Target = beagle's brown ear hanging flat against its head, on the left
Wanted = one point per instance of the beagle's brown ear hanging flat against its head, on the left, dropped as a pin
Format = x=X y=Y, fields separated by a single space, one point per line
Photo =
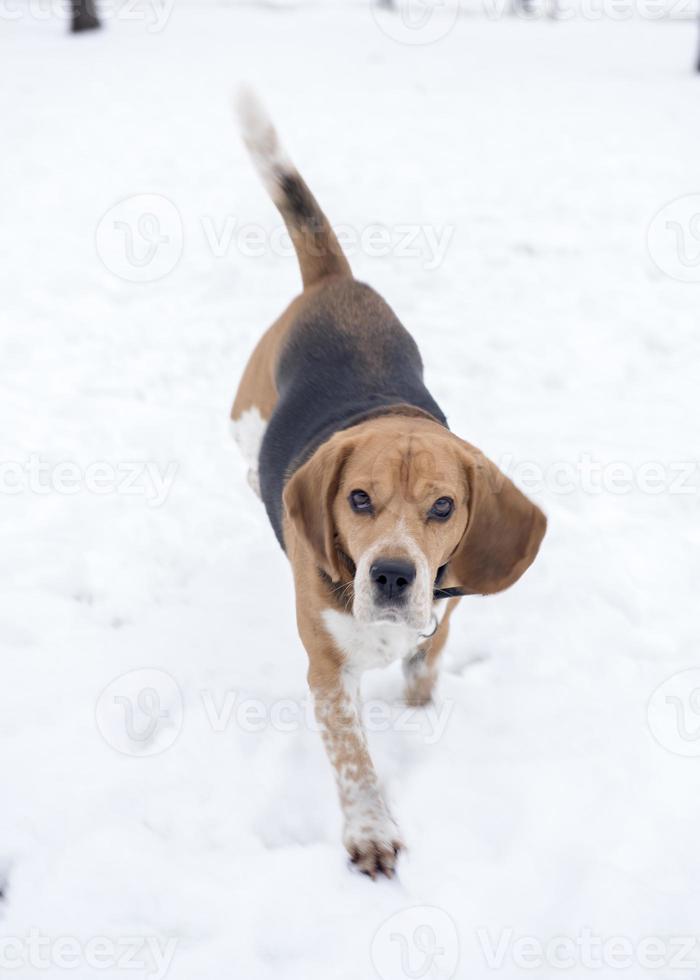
x=308 y=500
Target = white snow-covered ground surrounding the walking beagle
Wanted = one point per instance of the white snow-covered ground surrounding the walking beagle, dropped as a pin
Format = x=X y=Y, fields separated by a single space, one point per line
x=184 y=814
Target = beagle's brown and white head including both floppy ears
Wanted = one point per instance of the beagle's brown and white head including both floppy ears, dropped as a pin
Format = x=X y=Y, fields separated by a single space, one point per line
x=407 y=505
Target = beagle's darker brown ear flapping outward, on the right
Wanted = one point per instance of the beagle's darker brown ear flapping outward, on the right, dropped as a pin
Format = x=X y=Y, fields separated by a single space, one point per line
x=504 y=529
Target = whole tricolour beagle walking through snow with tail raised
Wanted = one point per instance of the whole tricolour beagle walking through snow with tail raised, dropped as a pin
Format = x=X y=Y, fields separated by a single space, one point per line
x=382 y=511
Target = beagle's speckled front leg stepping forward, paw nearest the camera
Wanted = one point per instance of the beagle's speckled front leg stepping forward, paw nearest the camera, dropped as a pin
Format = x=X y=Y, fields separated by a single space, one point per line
x=370 y=834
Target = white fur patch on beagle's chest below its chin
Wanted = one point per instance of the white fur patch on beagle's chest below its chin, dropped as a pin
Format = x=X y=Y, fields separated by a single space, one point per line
x=368 y=645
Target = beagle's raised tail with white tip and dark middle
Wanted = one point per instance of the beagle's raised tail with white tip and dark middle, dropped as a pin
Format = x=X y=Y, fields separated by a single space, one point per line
x=318 y=250
